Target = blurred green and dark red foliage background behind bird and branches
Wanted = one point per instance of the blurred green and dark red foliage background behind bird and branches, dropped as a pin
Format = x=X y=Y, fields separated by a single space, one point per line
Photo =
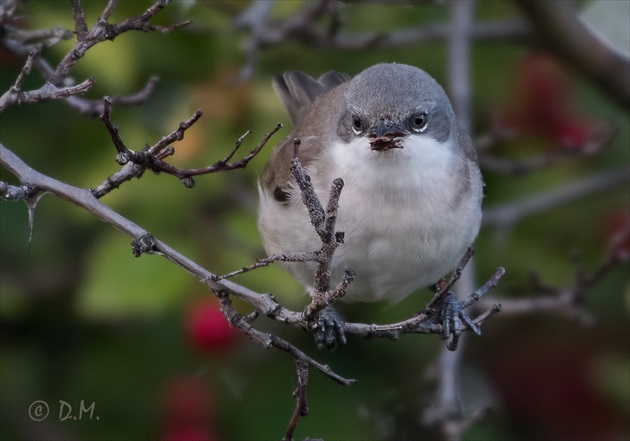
x=119 y=347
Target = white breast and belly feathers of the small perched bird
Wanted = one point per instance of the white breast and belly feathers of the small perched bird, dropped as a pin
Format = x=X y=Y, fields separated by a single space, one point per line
x=401 y=230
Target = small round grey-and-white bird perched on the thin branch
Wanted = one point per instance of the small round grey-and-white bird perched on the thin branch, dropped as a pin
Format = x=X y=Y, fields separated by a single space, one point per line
x=411 y=203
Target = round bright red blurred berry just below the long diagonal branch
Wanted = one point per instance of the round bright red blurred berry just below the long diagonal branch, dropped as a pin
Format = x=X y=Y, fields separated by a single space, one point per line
x=206 y=326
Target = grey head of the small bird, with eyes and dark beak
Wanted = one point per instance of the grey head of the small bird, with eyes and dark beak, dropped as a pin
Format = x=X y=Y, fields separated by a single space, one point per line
x=388 y=102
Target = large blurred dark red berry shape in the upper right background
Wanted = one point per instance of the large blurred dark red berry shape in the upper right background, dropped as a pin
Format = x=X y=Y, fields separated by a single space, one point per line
x=542 y=104
